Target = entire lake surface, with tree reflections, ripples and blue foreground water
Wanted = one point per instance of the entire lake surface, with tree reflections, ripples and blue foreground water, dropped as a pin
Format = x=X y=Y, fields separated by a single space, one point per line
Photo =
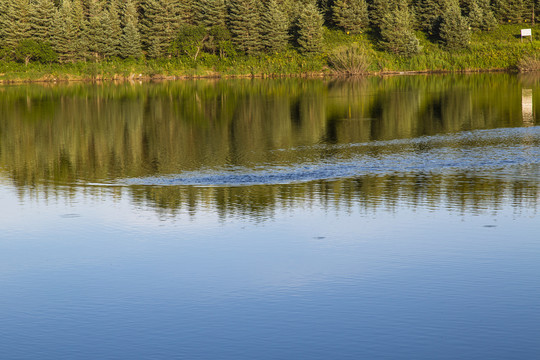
x=376 y=218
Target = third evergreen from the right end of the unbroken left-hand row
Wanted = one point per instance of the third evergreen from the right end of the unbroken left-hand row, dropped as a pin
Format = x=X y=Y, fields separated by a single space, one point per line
x=243 y=21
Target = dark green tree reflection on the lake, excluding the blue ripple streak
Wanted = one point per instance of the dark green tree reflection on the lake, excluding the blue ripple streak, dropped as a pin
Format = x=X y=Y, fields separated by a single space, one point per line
x=59 y=139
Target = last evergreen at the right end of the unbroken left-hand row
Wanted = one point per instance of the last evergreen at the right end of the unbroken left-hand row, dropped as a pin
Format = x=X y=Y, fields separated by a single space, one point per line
x=310 y=24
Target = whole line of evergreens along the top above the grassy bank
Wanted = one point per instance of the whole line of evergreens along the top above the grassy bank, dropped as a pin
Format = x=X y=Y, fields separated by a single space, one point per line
x=94 y=30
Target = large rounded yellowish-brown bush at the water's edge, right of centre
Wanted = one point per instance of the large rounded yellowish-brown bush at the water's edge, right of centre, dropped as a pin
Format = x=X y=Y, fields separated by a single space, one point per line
x=349 y=60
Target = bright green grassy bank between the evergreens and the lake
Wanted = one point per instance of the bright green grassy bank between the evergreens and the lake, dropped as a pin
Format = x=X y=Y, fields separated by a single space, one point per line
x=500 y=49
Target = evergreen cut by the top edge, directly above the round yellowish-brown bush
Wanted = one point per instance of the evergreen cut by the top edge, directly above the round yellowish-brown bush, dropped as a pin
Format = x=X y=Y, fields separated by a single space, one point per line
x=350 y=15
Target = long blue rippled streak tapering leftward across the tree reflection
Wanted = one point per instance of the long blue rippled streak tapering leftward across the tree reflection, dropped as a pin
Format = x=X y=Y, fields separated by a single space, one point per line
x=497 y=150
